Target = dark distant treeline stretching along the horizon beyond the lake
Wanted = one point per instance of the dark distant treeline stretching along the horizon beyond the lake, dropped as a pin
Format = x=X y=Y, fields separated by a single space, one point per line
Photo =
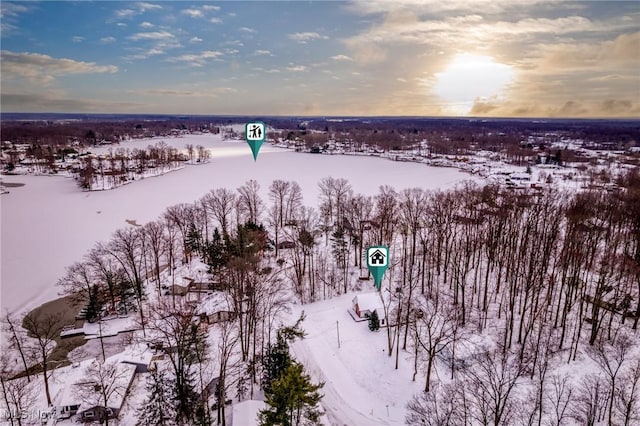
x=391 y=131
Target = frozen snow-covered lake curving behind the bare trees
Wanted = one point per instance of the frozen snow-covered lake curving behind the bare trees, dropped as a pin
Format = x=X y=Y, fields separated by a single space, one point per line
x=49 y=223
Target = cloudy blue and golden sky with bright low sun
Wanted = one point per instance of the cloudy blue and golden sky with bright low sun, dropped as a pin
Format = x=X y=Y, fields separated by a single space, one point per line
x=397 y=57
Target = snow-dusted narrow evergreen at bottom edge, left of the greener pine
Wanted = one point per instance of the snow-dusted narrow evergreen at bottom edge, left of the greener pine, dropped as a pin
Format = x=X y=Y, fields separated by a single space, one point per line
x=158 y=409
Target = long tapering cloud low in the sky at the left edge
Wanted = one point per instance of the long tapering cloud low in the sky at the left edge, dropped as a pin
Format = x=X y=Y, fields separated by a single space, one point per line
x=41 y=68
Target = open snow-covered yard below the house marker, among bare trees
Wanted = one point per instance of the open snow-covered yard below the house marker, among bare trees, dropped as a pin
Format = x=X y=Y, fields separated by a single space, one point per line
x=361 y=385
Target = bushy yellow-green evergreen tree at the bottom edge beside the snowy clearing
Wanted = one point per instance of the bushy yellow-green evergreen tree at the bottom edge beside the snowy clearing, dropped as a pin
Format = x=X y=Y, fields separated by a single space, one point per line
x=293 y=399
